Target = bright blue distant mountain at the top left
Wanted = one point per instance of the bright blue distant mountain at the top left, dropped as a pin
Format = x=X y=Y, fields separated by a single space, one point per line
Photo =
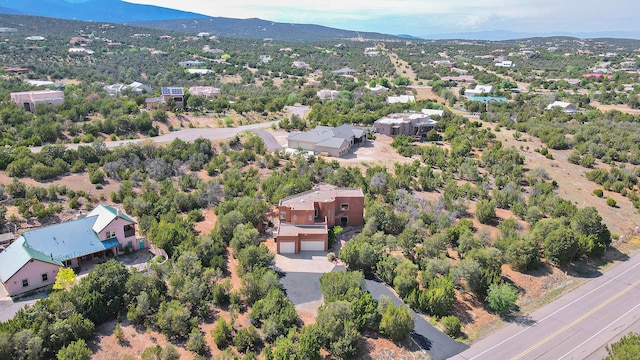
x=115 y=11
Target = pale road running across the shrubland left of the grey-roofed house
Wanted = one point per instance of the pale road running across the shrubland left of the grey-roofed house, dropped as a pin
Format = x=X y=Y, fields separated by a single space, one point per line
x=186 y=135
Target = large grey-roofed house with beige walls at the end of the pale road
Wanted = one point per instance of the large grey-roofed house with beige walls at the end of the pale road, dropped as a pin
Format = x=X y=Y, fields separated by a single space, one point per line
x=325 y=139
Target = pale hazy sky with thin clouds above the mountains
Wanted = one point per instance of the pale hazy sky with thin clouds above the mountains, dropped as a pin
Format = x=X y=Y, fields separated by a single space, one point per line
x=424 y=17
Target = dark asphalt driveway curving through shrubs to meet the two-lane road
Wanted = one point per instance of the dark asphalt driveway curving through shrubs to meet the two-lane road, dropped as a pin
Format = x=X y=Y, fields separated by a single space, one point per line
x=440 y=345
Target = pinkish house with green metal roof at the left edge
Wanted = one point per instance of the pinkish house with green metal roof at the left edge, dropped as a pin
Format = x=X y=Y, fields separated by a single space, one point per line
x=33 y=260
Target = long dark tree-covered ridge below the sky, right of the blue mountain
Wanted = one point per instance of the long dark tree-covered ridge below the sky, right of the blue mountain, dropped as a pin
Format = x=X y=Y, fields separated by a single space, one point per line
x=259 y=29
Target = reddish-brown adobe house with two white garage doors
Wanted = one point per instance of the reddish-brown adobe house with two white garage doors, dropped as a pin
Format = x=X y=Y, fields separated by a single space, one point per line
x=305 y=218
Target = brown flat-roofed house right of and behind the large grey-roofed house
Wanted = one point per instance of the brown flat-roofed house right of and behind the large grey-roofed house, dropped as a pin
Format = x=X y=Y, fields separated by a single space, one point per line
x=410 y=124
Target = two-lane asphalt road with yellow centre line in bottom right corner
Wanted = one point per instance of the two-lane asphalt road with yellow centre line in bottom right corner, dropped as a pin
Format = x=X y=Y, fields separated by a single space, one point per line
x=576 y=326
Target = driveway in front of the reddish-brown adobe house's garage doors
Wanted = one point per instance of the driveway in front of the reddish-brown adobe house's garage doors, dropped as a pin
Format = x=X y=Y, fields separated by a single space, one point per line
x=301 y=278
